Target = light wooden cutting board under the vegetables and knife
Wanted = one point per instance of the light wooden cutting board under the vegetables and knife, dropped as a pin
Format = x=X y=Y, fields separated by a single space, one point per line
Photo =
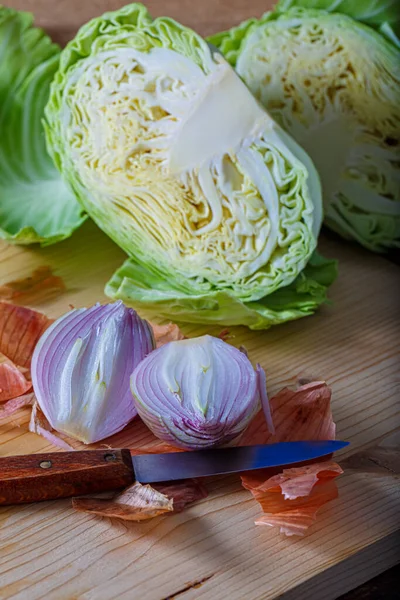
x=213 y=550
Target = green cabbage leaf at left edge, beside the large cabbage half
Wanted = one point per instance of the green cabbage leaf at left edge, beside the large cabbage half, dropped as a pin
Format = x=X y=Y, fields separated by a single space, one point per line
x=35 y=204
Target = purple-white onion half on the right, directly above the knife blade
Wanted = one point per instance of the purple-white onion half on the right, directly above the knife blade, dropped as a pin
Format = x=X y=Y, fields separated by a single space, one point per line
x=196 y=393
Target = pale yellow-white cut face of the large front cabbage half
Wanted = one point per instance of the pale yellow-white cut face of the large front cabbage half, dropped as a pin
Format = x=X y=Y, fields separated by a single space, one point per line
x=183 y=162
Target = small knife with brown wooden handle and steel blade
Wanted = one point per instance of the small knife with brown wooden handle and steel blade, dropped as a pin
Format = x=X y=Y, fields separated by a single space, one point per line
x=37 y=477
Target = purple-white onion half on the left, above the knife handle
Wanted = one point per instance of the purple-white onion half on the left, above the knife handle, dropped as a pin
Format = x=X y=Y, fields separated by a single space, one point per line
x=81 y=368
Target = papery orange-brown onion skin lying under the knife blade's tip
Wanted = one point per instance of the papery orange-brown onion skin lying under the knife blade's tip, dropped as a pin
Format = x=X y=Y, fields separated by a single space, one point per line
x=291 y=498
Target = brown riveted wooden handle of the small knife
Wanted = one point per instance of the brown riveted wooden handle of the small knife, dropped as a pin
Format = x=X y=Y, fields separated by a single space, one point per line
x=39 y=477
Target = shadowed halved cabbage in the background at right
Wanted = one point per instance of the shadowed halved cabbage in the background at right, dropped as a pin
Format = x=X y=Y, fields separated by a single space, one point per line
x=334 y=85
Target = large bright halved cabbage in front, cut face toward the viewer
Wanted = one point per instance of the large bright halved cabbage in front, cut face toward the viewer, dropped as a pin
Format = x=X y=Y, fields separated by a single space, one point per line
x=175 y=160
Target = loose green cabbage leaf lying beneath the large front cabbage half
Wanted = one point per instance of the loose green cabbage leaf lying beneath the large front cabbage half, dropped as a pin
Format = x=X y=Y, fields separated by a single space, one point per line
x=153 y=291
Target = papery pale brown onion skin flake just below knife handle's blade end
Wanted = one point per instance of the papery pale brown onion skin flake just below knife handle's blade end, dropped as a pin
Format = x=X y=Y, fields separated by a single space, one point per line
x=136 y=503
